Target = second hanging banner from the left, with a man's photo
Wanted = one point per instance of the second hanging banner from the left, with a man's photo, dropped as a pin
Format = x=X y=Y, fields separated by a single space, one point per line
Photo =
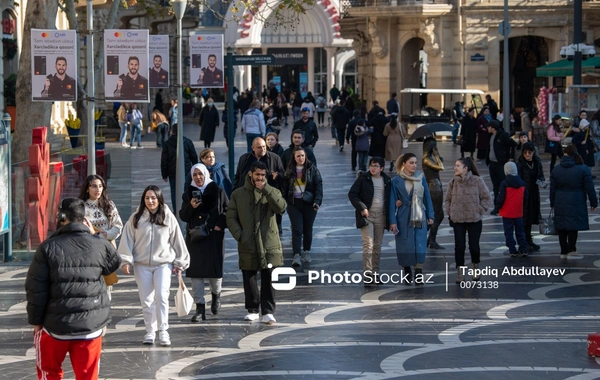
x=126 y=65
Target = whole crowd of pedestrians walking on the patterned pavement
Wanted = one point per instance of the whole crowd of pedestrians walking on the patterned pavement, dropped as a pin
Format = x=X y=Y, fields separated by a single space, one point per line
x=273 y=179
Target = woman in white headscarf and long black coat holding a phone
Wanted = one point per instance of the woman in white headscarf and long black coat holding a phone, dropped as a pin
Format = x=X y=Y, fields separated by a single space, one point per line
x=205 y=203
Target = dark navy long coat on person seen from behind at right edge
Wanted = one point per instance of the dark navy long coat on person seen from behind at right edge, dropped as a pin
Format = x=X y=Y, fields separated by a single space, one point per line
x=570 y=187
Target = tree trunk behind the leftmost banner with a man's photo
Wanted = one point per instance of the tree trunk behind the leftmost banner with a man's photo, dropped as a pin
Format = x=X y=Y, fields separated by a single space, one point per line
x=40 y=14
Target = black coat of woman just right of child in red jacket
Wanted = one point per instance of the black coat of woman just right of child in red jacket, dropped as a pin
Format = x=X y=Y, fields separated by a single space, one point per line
x=531 y=205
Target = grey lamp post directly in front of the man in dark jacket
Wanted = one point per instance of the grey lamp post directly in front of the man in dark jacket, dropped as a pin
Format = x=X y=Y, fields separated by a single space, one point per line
x=179 y=10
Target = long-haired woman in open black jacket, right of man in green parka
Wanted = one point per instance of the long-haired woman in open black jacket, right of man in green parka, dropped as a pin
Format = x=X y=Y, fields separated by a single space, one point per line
x=303 y=191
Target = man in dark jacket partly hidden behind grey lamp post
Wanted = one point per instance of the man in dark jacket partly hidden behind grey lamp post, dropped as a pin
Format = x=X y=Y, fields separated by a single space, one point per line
x=168 y=162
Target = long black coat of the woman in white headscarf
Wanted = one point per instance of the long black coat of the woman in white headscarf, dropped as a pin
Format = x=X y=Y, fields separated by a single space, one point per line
x=206 y=256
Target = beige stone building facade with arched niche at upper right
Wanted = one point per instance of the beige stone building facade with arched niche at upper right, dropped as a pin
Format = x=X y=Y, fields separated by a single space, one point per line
x=456 y=44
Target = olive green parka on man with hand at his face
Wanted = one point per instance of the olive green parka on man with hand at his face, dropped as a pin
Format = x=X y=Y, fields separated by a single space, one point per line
x=251 y=221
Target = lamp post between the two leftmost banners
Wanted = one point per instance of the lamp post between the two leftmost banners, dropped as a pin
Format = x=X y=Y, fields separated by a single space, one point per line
x=90 y=90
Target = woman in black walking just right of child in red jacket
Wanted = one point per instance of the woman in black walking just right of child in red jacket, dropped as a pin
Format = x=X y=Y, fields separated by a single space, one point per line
x=532 y=173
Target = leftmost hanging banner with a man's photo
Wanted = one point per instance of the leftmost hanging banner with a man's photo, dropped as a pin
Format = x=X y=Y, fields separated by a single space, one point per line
x=51 y=47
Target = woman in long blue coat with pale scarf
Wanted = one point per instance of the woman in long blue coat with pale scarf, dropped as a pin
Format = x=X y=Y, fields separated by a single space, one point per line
x=410 y=212
